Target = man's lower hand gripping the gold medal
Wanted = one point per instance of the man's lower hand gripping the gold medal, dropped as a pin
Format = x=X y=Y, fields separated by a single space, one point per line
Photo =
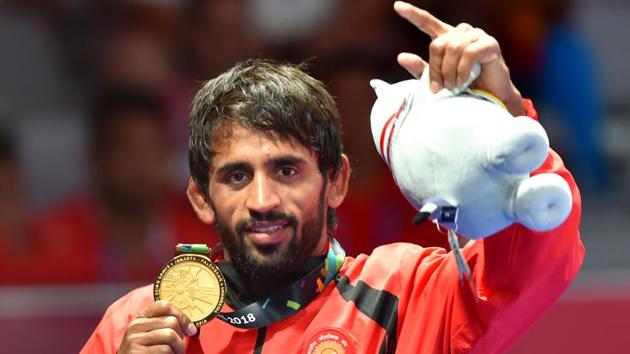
x=158 y=328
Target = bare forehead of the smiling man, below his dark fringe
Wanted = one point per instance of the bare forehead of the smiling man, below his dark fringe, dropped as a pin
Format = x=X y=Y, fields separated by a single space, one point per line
x=236 y=142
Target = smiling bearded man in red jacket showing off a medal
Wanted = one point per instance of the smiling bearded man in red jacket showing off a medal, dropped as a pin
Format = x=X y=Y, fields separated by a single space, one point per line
x=268 y=171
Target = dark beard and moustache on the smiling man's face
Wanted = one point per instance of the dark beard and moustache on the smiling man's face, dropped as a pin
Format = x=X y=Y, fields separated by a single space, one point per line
x=272 y=261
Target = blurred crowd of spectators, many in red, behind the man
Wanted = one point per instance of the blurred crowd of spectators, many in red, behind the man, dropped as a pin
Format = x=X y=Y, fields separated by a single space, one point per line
x=93 y=115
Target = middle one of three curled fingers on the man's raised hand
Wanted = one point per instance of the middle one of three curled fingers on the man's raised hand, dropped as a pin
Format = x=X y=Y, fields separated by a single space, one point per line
x=456 y=41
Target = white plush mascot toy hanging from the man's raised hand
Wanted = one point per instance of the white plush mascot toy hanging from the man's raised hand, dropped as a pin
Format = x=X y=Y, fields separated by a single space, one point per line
x=463 y=161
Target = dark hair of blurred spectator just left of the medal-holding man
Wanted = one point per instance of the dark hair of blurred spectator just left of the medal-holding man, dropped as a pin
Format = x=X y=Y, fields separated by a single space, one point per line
x=112 y=103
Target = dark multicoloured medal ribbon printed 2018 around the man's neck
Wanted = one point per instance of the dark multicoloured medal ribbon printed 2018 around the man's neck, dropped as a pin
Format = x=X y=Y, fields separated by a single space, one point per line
x=284 y=302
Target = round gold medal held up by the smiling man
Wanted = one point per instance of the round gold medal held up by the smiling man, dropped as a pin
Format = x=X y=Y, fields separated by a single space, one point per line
x=194 y=284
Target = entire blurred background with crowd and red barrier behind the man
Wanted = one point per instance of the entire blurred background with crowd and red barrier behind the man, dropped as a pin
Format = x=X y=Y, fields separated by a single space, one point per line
x=93 y=127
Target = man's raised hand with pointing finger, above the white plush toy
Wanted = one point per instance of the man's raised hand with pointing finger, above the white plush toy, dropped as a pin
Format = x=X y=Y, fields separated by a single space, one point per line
x=453 y=51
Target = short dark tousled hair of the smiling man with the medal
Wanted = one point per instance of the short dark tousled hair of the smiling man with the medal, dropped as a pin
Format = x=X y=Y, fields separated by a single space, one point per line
x=267 y=96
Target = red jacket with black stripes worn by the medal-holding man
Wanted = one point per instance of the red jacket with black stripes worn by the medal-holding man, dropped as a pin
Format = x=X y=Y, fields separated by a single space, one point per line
x=405 y=298
